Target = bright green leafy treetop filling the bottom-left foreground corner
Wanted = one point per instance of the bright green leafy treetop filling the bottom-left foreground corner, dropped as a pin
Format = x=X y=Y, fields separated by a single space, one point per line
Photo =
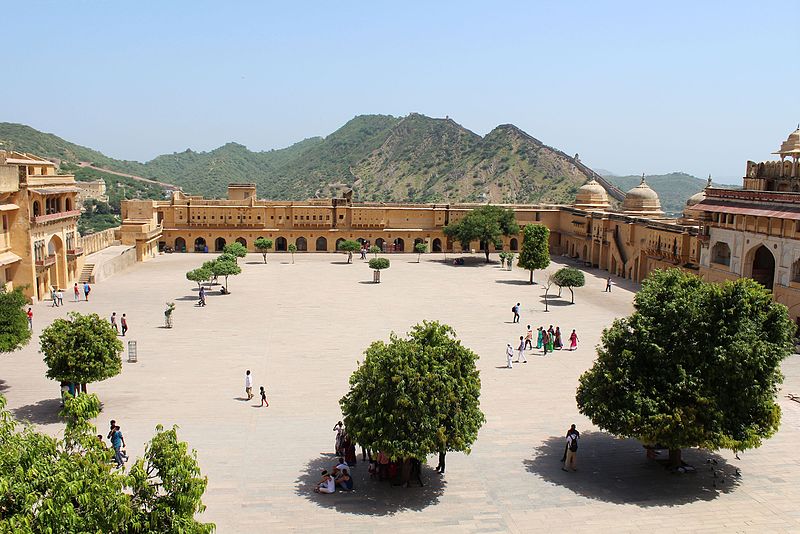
x=68 y=484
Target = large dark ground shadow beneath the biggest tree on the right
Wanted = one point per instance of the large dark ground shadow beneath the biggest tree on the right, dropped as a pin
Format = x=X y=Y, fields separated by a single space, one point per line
x=617 y=471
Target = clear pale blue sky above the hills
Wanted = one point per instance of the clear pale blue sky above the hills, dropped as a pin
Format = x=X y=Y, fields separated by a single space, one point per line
x=632 y=86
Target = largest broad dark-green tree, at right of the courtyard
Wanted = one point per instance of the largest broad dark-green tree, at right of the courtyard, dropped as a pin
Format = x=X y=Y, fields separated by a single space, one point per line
x=696 y=365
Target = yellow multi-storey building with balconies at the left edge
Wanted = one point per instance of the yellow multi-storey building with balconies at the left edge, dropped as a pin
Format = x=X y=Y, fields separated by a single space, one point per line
x=39 y=245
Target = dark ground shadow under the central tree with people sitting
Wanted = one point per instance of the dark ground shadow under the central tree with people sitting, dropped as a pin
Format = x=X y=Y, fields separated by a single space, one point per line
x=371 y=497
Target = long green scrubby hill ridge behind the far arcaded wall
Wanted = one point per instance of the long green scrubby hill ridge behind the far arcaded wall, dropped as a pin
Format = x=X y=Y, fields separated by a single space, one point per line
x=383 y=158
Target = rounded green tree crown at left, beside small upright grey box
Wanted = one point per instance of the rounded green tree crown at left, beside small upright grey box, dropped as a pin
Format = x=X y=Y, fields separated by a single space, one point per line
x=81 y=349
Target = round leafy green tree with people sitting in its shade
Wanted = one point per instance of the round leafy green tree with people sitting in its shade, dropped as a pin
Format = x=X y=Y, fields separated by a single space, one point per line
x=416 y=395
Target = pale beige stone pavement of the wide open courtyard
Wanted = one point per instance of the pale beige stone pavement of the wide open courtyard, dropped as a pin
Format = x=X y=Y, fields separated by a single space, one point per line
x=302 y=327
